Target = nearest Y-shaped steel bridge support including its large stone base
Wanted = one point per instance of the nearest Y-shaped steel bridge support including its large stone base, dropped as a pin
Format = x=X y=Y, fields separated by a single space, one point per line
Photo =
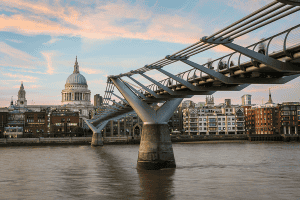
x=156 y=151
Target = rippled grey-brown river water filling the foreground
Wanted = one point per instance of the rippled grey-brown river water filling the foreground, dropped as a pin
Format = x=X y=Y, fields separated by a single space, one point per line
x=204 y=171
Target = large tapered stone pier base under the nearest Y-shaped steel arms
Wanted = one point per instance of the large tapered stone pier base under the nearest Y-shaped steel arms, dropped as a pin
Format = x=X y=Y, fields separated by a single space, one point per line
x=156 y=151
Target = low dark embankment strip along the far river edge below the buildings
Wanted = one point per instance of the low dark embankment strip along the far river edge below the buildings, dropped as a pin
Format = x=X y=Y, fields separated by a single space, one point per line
x=129 y=140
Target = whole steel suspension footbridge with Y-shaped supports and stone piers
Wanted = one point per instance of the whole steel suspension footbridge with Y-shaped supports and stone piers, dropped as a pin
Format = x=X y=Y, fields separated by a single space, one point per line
x=231 y=72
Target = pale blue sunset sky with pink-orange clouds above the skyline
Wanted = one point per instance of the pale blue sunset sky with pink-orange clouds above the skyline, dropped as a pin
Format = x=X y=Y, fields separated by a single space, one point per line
x=39 y=41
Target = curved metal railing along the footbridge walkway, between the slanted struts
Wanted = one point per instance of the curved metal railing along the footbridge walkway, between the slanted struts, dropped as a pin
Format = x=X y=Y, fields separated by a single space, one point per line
x=282 y=42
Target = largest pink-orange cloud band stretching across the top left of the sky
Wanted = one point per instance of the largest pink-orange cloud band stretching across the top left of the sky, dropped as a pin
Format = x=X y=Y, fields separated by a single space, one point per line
x=108 y=21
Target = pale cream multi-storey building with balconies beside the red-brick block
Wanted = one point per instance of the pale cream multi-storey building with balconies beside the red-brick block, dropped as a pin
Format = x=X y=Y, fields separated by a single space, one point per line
x=223 y=119
